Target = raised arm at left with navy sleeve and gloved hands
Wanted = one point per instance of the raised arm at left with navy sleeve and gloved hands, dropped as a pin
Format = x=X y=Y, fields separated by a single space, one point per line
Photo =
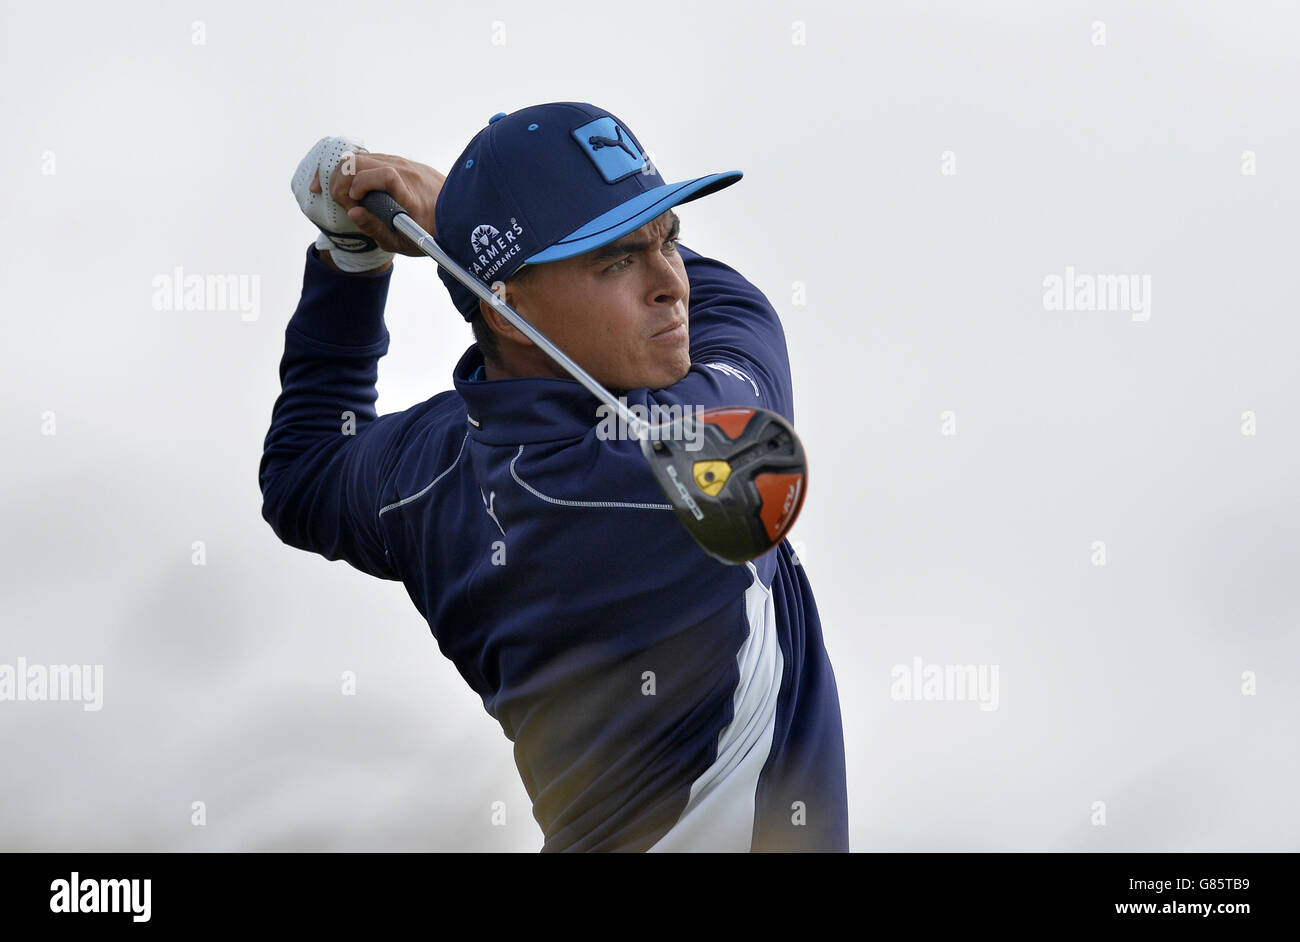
x=327 y=455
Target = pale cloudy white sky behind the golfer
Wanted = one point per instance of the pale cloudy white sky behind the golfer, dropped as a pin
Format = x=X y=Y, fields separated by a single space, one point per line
x=1119 y=684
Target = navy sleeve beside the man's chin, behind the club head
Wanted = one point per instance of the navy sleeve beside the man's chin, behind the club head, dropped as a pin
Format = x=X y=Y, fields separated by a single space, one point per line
x=738 y=346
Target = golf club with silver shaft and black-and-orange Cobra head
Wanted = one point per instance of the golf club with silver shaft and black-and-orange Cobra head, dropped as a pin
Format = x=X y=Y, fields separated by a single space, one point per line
x=738 y=493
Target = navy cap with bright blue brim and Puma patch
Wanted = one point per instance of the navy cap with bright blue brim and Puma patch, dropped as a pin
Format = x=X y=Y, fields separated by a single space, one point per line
x=549 y=183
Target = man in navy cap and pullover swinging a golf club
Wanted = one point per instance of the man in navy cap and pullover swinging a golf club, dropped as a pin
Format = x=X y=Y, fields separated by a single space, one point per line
x=658 y=700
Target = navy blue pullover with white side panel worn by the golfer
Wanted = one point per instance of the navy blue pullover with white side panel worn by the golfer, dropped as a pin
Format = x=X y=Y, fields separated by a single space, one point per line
x=657 y=698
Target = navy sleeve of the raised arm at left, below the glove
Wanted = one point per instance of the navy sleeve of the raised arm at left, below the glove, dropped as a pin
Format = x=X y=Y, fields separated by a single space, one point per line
x=327 y=454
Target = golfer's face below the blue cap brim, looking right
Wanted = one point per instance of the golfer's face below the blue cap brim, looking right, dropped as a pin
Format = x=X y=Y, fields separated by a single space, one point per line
x=621 y=310
